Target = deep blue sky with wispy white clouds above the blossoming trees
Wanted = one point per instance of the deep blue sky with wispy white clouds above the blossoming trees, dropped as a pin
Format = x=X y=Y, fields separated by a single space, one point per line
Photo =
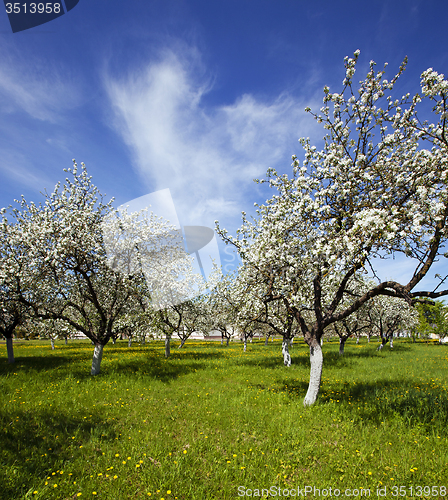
x=196 y=96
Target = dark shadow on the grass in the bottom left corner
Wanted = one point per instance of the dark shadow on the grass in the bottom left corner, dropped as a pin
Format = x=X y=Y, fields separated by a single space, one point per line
x=32 y=445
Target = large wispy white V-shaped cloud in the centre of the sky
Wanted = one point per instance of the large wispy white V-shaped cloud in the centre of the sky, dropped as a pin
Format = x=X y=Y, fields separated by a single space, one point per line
x=207 y=155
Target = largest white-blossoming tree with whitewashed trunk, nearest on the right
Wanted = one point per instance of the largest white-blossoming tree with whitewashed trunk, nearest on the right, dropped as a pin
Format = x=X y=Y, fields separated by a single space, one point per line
x=372 y=190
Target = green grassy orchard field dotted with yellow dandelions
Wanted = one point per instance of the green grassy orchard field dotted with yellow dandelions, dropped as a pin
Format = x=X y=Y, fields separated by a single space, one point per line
x=213 y=422
